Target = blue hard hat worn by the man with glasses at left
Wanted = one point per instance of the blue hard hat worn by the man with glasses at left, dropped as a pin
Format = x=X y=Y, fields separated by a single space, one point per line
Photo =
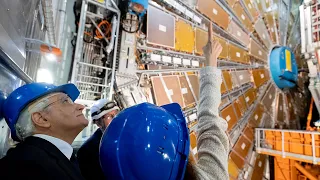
x=22 y=96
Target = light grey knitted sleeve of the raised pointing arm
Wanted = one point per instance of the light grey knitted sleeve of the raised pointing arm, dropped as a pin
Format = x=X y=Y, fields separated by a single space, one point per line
x=212 y=140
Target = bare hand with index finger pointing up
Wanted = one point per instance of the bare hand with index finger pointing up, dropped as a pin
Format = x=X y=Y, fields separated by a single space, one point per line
x=212 y=50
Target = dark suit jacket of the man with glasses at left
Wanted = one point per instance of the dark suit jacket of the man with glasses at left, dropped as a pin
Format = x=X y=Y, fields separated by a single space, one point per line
x=37 y=159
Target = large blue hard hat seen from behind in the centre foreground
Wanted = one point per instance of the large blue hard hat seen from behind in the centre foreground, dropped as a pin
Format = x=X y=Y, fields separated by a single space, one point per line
x=146 y=142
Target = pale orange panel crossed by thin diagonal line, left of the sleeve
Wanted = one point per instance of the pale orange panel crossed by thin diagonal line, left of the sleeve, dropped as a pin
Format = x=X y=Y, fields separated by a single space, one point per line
x=173 y=85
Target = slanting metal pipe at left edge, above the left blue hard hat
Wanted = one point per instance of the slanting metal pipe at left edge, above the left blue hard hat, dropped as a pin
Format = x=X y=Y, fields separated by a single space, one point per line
x=13 y=67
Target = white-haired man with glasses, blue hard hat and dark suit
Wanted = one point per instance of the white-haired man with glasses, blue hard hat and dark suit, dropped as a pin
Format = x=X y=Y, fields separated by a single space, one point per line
x=45 y=120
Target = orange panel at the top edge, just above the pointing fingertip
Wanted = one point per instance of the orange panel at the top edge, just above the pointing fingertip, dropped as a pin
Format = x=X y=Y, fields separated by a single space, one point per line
x=213 y=11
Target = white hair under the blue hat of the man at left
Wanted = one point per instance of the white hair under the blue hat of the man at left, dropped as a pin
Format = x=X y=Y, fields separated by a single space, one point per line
x=24 y=126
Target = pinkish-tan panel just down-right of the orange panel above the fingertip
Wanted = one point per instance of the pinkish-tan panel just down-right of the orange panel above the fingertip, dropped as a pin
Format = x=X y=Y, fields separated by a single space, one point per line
x=239 y=34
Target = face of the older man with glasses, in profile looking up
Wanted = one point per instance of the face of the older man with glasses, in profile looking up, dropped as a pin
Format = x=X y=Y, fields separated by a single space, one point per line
x=64 y=115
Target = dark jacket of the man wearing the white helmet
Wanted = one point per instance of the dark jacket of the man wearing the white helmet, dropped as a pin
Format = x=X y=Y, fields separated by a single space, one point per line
x=88 y=158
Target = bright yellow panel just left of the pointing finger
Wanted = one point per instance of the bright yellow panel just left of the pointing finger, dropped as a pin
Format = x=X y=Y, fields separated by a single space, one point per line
x=184 y=36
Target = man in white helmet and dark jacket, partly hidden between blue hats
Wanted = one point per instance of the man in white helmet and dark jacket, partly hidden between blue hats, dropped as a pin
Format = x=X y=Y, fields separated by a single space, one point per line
x=102 y=113
